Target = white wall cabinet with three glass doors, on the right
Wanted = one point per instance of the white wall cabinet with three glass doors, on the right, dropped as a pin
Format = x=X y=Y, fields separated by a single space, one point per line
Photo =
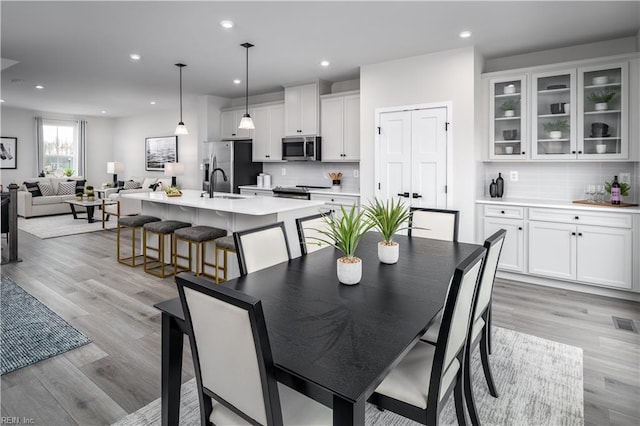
x=575 y=113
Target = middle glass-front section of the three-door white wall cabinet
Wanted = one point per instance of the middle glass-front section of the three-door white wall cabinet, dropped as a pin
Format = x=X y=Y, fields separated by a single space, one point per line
x=553 y=132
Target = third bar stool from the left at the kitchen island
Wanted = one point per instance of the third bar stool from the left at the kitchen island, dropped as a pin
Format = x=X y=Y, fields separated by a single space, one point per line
x=200 y=236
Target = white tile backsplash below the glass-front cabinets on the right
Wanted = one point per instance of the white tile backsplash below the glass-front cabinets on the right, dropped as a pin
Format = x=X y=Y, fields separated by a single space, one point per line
x=558 y=181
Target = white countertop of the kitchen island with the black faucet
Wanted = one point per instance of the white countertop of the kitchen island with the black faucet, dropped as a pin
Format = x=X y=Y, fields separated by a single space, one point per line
x=248 y=205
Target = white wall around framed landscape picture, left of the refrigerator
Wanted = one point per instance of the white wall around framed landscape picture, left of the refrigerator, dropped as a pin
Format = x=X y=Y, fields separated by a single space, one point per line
x=129 y=135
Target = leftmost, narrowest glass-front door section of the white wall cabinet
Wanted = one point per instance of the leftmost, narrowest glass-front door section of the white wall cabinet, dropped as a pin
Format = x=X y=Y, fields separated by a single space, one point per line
x=508 y=123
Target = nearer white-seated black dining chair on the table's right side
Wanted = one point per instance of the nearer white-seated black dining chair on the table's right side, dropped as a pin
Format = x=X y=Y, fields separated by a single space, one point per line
x=420 y=385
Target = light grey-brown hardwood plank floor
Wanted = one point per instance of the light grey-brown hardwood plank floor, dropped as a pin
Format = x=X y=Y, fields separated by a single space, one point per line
x=79 y=279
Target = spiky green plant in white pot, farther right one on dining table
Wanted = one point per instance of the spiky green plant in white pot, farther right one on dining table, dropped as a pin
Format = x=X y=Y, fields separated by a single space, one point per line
x=388 y=218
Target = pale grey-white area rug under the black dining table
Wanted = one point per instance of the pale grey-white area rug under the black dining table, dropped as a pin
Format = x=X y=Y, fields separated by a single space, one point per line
x=539 y=382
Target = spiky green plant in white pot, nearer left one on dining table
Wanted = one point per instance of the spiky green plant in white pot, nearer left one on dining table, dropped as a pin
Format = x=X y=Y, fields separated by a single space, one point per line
x=344 y=233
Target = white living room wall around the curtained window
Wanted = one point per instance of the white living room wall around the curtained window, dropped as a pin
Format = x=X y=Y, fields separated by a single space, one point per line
x=20 y=123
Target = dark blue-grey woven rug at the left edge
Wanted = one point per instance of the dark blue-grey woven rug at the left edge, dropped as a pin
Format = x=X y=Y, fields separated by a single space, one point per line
x=29 y=331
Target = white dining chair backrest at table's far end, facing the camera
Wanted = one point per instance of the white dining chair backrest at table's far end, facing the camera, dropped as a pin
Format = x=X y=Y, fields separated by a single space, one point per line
x=434 y=223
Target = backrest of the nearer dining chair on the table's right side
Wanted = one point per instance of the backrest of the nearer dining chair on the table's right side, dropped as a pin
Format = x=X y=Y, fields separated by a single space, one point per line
x=456 y=317
